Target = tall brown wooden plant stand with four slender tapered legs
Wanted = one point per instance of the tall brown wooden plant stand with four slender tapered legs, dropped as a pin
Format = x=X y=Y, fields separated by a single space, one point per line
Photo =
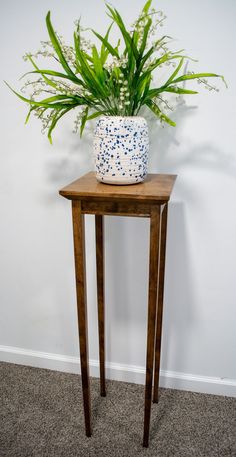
x=148 y=199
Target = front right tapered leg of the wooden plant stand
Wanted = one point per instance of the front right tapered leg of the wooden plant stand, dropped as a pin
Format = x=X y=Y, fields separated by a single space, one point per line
x=152 y=298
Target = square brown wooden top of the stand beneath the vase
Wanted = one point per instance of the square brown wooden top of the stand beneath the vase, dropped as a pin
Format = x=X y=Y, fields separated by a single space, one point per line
x=155 y=188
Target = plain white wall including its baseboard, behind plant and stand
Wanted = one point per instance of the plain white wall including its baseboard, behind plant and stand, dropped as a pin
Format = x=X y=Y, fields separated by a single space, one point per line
x=37 y=295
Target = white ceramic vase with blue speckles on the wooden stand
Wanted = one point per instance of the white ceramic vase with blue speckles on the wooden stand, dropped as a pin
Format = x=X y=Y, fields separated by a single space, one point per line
x=121 y=146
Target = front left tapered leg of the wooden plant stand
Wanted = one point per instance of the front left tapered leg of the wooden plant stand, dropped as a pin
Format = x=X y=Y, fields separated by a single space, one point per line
x=80 y=273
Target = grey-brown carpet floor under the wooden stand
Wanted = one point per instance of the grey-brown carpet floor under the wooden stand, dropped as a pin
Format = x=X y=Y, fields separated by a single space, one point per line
x=41 y=415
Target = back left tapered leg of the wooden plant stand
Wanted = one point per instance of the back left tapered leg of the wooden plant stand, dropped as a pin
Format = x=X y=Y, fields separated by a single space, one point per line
x=100 y=297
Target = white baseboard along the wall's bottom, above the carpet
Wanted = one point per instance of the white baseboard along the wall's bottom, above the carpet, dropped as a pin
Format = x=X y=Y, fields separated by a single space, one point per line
x=119 y=372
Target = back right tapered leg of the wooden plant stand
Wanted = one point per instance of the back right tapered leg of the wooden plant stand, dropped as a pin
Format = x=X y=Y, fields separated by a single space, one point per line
x=161 y=278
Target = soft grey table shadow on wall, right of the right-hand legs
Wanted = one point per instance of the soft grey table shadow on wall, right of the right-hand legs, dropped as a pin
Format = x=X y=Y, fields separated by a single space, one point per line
x=180 y=294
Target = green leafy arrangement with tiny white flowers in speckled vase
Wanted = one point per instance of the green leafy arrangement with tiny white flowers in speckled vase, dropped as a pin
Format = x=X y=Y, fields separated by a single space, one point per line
x=114 y=80
